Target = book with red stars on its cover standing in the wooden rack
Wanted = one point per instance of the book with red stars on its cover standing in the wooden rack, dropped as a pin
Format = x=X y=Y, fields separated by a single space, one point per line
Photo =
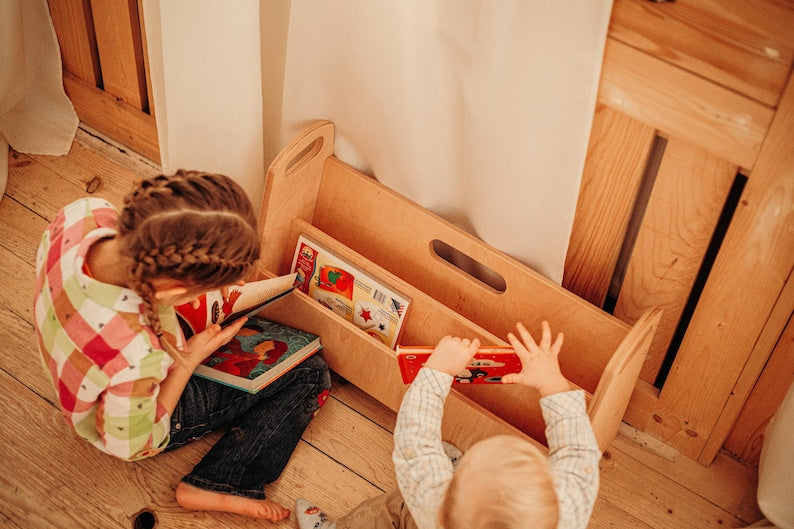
x=349 y=292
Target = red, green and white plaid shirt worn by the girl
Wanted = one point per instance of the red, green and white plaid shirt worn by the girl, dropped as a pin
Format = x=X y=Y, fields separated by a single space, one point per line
x=105 y=363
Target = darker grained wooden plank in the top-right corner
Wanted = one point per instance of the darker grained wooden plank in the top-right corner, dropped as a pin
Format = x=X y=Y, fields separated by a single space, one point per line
x=745 y=46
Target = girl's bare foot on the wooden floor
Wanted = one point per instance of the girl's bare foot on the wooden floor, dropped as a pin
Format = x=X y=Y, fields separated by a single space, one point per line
x=197 y=499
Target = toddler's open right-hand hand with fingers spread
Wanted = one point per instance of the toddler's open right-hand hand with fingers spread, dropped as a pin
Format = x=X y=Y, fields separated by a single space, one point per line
x=540 y=367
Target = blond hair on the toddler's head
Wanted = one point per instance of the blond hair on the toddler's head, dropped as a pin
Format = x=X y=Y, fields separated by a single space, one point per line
x=502 y=482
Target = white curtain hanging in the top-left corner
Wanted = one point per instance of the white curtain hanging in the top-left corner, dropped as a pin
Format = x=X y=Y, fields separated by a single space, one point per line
x=36 y=117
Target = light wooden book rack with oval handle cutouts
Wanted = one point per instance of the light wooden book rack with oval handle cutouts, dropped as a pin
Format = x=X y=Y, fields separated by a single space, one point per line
x=308 y=190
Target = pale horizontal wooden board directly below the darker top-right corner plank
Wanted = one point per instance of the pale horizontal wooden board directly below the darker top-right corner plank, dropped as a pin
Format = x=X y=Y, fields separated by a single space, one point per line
x=683 y=105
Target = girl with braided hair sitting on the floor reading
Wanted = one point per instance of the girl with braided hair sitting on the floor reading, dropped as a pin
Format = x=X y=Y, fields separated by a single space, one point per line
x=107 y=284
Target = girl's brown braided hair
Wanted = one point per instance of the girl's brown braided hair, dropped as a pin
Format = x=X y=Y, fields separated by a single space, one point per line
x=199 y=228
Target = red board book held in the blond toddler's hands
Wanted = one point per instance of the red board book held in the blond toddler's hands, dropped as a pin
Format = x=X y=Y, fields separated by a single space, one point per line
x=488 y=366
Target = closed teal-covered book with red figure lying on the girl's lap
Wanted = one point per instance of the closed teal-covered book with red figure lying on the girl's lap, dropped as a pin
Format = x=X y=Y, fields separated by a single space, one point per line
x=260 y=353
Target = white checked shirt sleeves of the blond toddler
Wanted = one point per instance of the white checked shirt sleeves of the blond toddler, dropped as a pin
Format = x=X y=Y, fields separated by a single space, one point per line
x=424 y=470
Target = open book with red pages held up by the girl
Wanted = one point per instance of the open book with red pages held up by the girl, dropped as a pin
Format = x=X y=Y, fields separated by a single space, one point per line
x=242 y=300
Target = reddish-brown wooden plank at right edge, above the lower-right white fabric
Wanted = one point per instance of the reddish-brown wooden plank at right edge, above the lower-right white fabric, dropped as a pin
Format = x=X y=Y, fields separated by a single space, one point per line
x=747 y=436
